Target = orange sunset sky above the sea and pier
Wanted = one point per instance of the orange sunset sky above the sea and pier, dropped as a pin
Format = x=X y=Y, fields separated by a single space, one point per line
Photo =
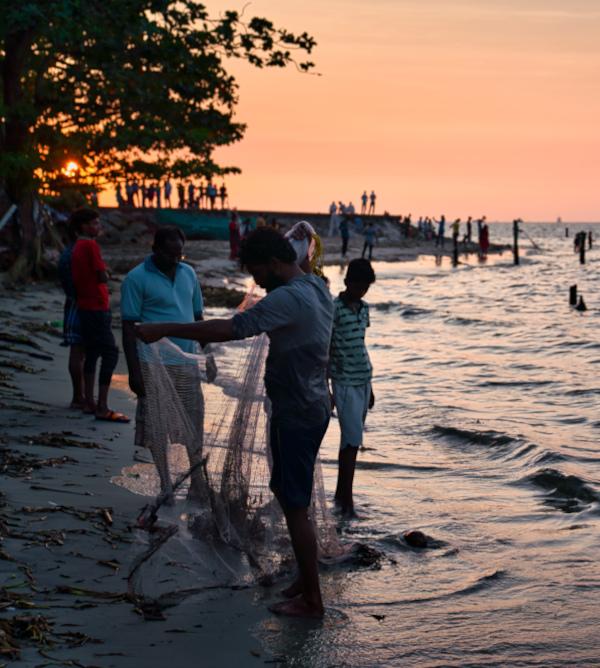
x=464 y=107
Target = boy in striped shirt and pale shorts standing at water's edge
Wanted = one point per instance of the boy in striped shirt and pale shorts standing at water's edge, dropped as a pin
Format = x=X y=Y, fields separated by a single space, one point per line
x=350 y=371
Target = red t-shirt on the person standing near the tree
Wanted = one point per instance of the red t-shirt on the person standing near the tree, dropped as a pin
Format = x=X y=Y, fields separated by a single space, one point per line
x=86 y=262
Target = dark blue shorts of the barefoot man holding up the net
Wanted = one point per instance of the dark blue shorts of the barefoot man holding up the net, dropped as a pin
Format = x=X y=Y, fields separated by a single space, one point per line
x=294 y=451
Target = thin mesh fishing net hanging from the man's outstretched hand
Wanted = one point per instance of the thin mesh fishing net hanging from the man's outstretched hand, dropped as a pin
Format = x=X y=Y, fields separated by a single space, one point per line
x=221 y=451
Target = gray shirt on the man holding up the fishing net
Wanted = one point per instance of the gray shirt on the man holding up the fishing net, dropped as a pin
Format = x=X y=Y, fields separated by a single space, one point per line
x=297 y=318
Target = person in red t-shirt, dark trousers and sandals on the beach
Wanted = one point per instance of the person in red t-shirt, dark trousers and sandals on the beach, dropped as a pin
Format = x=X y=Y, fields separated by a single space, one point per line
x=90 y=280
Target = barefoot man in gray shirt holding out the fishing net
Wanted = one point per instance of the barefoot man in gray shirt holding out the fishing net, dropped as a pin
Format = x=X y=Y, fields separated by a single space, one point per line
x=297 y=316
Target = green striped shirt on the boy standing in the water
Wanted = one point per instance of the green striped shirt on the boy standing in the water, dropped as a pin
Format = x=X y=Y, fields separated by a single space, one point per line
x=349 y=362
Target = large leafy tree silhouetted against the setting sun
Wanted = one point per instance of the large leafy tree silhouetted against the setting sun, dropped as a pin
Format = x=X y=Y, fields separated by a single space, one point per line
x=123 y=87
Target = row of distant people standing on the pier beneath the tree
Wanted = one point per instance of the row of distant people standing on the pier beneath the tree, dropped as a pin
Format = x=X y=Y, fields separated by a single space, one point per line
x=184 y=195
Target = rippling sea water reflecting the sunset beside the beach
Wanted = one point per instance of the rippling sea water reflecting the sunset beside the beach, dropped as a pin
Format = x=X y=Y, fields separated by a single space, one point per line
x=485 y=436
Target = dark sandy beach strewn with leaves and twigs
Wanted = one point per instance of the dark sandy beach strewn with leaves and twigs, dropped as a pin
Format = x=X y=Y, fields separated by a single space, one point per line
x=69 y=536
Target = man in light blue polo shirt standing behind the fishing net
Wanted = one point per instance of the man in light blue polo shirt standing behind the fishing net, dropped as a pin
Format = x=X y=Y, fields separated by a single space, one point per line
x=163 y=289
